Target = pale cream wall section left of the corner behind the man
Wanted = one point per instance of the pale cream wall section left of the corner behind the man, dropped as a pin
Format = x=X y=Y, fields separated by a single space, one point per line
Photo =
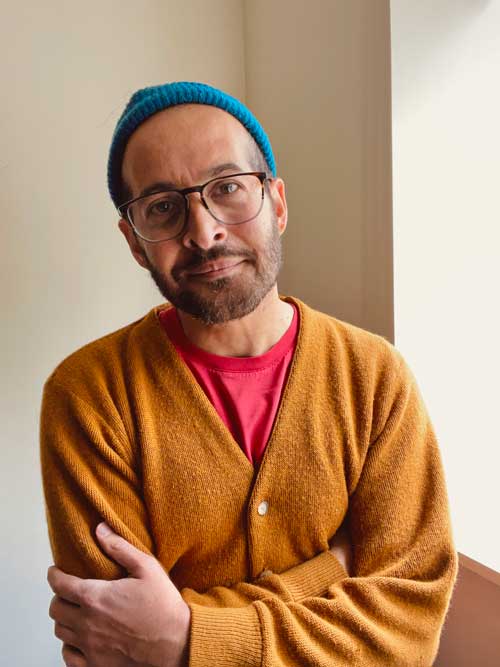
x=67 y=69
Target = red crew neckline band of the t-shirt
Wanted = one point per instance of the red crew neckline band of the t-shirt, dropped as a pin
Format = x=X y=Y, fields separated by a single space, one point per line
x=218 y=362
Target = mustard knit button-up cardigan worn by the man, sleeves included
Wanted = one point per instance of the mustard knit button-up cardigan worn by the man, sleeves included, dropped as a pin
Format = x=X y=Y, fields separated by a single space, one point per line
x=128 y=436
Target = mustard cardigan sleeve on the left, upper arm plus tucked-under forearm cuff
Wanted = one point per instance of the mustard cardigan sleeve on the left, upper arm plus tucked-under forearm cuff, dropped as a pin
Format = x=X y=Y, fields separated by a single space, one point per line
x=89 y=474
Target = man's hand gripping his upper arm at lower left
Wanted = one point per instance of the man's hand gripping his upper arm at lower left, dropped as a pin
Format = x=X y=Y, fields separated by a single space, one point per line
x=139 y=620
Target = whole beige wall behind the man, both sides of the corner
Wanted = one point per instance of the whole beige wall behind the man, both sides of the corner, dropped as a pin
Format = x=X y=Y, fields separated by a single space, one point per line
x=319 y=81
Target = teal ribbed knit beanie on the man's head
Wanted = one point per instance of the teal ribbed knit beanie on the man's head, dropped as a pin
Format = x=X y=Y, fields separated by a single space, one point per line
x=148 y=101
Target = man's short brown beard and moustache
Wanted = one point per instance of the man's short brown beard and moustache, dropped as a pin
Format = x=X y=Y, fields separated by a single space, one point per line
x=229 y=297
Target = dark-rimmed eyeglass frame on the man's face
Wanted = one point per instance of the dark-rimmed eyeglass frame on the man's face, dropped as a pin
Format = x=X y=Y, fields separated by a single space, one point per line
x=123 y=208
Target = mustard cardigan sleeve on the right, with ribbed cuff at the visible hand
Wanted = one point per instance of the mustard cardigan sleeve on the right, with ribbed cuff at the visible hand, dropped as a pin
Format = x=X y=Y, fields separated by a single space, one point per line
x=390 y=612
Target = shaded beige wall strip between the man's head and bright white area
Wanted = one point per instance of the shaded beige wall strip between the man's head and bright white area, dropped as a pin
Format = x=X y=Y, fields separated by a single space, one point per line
x=318 y=76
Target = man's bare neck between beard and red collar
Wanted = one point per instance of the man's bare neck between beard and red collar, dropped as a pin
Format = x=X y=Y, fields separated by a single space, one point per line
x=249 y=336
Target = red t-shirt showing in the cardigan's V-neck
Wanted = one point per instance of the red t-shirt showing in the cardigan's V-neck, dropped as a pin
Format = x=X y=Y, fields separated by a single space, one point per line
x=245 y=391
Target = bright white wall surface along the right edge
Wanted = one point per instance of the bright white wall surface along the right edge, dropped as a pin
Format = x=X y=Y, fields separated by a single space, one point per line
x=446 y=110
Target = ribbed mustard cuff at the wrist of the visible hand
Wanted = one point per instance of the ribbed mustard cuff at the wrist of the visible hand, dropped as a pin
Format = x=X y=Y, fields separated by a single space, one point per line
x=224 y=637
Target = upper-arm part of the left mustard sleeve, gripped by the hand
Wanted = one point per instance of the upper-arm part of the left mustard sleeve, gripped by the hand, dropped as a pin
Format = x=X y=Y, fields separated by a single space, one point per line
x=88 y=476
